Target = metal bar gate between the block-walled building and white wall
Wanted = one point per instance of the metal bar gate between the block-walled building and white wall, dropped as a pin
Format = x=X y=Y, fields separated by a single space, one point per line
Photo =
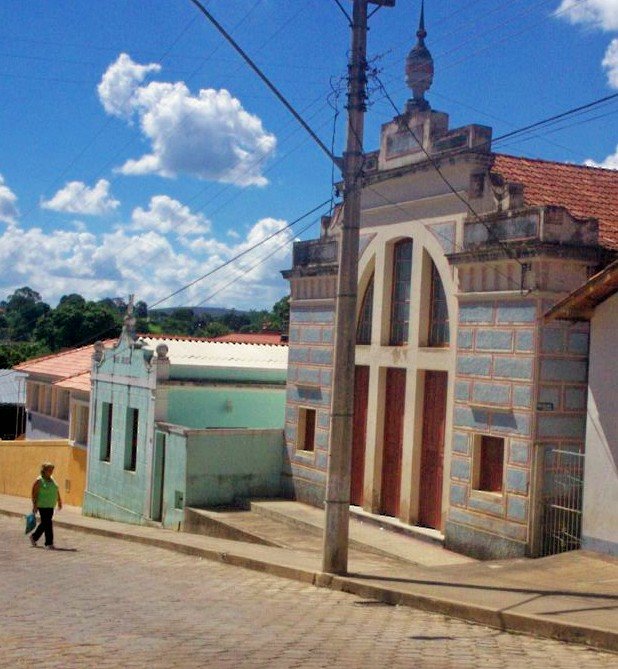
x=562 y=501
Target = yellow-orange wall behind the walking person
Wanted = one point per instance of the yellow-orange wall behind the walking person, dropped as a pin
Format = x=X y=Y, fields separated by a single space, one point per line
x=20 y=464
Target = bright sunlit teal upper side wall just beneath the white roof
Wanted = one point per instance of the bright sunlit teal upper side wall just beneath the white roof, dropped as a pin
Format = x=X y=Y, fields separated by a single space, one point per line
x=226 y=406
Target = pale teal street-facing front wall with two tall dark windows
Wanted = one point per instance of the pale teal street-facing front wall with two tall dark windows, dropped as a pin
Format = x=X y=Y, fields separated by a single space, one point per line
x=112 y=491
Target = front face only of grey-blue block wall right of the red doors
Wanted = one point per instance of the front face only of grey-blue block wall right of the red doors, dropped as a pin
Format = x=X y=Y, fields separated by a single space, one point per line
x=494 y=395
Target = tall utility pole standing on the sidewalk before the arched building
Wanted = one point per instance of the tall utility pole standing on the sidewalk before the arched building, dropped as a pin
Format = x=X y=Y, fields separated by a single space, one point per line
x=337 y=511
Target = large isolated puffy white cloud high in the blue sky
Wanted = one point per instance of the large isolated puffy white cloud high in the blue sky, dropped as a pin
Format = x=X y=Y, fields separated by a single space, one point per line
x=209 y=135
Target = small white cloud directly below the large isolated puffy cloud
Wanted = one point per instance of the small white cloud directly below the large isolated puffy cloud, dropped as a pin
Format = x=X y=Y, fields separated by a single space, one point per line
x=166 y=215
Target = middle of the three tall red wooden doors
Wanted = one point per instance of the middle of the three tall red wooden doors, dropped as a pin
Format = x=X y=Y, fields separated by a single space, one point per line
x=394 y=402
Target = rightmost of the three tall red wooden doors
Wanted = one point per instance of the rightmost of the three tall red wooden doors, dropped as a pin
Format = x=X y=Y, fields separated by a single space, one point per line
x=432 y=452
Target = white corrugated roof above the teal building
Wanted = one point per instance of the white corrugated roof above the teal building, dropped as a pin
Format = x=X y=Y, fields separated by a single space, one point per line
x=199 y=353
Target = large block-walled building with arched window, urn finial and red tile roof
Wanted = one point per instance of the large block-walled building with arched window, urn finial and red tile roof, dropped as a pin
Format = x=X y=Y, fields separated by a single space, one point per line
x=462 y=389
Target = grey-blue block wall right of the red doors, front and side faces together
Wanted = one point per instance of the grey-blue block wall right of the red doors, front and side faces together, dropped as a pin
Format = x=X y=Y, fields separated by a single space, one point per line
x=525 y=382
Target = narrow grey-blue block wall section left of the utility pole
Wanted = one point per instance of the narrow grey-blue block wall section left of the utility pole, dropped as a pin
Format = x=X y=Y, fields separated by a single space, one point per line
x=309 y=385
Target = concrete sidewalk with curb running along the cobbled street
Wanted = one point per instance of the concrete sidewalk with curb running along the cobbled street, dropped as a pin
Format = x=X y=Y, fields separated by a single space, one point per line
x=571 y=597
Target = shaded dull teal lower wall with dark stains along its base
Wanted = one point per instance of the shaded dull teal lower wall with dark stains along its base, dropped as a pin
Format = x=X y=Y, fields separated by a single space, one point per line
x=225 y=465
